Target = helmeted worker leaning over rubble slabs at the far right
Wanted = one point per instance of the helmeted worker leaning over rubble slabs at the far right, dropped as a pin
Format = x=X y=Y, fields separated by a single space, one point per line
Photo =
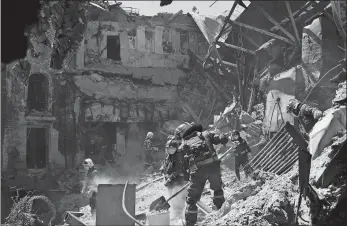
x=307 y=115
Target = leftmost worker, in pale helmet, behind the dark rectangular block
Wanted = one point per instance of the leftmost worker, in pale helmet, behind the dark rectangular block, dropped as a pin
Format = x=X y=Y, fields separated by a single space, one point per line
x=89 y=184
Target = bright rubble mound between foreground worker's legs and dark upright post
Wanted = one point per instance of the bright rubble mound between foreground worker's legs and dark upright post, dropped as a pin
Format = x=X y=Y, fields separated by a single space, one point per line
x=250 y=204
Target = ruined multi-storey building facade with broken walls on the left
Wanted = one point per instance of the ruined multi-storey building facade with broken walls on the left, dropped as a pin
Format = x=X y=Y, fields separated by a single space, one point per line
x=131 y=75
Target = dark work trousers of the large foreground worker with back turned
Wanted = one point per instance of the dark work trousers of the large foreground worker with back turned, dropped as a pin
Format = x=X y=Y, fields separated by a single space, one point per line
x=198 y=178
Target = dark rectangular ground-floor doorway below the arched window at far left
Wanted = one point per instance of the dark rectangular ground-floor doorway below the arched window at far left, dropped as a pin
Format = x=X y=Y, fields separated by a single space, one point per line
x=36 y=157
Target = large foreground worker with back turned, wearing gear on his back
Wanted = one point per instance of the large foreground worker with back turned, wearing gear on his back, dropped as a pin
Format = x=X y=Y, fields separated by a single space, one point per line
x=203 y=165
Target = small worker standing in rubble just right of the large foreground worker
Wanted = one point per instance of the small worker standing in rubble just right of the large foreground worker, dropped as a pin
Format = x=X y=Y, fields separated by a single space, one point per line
x=241 y=152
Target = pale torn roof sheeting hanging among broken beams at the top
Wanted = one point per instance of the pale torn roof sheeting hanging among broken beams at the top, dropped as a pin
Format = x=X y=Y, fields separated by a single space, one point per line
x=211 y=26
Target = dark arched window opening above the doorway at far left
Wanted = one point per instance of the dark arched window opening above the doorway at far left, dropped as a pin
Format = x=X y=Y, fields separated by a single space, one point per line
x=38 y=89
